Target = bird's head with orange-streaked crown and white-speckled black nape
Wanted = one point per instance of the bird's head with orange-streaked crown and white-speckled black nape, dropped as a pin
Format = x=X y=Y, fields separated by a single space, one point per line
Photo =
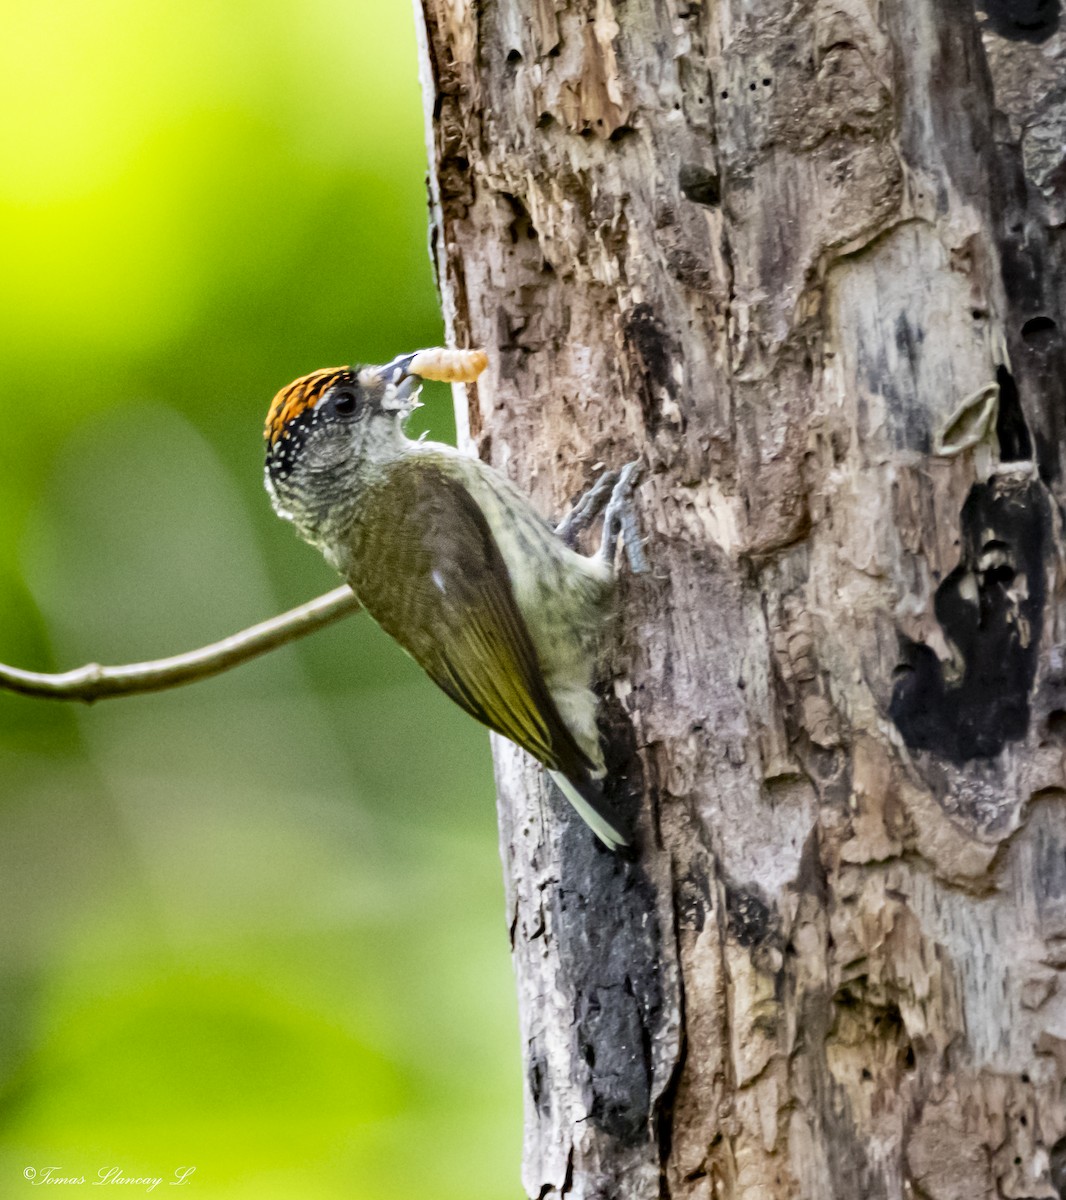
x=328 y=434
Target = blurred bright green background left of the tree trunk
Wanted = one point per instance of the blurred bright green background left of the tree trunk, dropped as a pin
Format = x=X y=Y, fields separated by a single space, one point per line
x=255 y=926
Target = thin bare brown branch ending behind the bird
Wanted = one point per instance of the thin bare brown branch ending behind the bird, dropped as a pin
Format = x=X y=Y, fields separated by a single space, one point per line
x=94 y=682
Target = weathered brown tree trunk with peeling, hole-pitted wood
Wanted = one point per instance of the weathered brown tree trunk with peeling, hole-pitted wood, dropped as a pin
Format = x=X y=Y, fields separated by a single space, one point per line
x=807 y=260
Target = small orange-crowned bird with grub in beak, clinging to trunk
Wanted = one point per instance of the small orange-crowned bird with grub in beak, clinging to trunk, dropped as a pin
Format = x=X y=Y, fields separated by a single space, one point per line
x=453 y=562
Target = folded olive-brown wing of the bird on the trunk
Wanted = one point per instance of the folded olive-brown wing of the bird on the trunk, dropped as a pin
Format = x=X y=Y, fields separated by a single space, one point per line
x=427 y=568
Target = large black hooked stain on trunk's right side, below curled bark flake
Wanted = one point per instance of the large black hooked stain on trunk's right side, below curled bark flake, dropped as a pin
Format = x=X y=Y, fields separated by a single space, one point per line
x=991 y=609
